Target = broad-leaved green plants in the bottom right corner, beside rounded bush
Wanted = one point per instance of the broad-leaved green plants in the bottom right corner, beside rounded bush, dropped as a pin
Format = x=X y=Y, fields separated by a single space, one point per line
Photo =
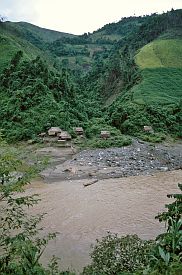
x=166 y=254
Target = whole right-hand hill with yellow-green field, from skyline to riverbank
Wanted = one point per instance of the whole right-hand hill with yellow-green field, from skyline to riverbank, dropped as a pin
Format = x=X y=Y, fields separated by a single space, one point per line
x=147 y=78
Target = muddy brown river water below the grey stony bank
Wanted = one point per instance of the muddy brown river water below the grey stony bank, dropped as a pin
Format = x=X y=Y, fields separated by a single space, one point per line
x=82 y=214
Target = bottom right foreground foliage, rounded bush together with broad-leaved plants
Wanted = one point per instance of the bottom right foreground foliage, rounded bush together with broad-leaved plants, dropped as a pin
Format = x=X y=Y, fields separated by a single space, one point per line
x=131 y=255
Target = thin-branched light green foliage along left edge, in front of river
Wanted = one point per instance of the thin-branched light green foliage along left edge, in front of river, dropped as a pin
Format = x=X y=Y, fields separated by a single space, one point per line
x=21 y=244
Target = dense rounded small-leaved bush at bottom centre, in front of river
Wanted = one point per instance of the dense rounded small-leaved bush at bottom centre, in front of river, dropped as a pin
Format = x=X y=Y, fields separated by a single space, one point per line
x=114 y=255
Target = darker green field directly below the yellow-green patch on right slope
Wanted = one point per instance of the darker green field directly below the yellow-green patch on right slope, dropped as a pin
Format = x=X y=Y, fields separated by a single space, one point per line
x=159 y=85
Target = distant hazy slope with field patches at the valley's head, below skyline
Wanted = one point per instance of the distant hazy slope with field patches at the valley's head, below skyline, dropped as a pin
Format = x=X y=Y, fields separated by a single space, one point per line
x=81 y=53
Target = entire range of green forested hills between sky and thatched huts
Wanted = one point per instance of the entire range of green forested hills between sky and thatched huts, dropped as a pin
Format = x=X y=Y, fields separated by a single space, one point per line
x=121 y=77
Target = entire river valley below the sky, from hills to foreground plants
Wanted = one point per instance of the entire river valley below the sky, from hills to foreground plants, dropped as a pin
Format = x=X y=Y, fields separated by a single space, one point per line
x=125 y=80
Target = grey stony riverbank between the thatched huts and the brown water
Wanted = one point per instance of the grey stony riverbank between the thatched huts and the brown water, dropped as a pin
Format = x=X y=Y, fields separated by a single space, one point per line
x=140 y=158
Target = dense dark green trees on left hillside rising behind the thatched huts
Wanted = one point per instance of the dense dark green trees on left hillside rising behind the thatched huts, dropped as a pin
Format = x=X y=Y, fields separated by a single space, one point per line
x=33 y=98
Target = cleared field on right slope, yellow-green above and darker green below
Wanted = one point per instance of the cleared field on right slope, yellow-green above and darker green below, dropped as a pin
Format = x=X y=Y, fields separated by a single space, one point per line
x=161 y=64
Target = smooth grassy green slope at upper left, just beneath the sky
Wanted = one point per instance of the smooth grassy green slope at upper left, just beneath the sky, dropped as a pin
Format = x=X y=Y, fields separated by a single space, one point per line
x=21 y=36
